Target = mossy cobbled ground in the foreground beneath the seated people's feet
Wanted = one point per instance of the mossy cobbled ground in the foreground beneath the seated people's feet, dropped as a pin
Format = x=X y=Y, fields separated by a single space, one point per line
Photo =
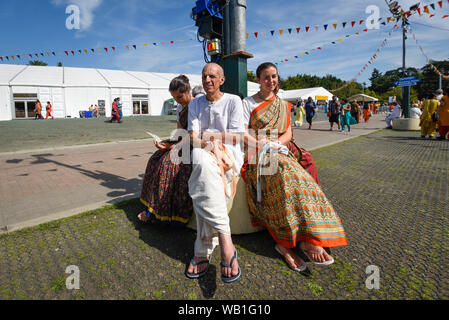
x=389 y=188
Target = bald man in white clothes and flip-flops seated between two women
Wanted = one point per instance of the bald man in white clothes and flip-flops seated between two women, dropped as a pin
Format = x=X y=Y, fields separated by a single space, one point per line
x=219 y=116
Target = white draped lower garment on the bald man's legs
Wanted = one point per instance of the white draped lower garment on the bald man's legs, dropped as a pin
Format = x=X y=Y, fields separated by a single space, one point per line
x=209 y=201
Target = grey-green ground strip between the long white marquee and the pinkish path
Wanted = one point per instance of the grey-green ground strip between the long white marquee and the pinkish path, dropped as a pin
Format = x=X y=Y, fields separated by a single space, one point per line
x=38 y=134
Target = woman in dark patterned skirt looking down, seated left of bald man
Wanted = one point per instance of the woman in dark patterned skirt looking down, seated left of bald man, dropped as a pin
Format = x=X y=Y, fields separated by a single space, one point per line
x=165 y=191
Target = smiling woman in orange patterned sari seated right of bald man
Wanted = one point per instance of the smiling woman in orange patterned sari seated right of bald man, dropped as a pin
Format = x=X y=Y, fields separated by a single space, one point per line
x=288 y=202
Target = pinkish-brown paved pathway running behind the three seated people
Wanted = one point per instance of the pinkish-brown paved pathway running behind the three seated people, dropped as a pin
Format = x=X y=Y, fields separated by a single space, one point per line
x=44 y=185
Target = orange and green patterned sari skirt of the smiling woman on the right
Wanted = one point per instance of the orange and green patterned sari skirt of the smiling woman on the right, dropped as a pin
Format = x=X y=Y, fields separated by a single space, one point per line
x=293 y=207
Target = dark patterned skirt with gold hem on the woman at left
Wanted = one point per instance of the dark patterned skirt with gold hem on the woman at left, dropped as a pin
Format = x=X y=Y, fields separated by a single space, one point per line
x=165 y=190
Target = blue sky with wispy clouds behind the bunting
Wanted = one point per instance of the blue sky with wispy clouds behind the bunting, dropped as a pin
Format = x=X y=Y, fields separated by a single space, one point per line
x=30 y=26
